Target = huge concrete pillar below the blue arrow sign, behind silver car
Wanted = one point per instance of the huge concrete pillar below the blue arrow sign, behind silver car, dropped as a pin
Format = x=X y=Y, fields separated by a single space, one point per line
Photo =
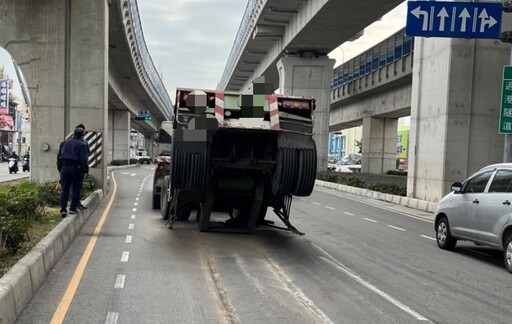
x=454 y=112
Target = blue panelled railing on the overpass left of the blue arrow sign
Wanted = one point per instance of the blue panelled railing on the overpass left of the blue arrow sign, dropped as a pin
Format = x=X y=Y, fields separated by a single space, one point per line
x=381 y=55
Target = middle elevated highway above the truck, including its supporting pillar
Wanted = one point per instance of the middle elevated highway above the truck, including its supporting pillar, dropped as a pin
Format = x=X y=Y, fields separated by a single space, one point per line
x=287 y=42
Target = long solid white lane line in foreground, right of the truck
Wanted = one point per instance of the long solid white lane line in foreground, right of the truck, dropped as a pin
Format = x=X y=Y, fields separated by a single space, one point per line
x=341 y=267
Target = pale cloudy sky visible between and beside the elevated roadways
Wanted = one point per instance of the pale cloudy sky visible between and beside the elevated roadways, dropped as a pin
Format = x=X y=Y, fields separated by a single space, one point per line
x=190 y=41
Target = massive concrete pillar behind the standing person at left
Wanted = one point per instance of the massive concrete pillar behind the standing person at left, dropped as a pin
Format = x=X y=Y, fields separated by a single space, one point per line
x=61 y=47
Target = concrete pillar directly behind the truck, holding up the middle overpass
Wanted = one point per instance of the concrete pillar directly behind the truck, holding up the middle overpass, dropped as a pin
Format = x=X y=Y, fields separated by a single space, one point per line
x=310 y=76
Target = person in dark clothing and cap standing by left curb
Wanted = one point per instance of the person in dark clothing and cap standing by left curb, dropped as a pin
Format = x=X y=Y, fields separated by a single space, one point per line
x=72 y=165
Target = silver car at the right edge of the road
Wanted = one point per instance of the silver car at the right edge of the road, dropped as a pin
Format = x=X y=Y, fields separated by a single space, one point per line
x=479 y=210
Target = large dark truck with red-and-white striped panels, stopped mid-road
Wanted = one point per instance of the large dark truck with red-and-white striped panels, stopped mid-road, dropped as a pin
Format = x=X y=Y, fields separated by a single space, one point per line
x=237 y=155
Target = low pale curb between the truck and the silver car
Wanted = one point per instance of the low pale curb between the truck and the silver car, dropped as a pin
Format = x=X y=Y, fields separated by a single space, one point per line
x=423 y=205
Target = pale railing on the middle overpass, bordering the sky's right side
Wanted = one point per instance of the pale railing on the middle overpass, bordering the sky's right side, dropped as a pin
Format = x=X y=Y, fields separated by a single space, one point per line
x=240 y=40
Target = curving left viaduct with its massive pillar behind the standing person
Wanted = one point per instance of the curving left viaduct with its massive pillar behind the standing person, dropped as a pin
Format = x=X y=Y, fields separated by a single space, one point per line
x=84 y=61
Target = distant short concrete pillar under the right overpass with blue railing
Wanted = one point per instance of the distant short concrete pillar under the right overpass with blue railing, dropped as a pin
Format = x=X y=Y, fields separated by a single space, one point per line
x=378 y=145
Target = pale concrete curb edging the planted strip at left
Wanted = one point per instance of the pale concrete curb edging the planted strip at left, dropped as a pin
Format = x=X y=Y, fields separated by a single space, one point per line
x=23 y=280
